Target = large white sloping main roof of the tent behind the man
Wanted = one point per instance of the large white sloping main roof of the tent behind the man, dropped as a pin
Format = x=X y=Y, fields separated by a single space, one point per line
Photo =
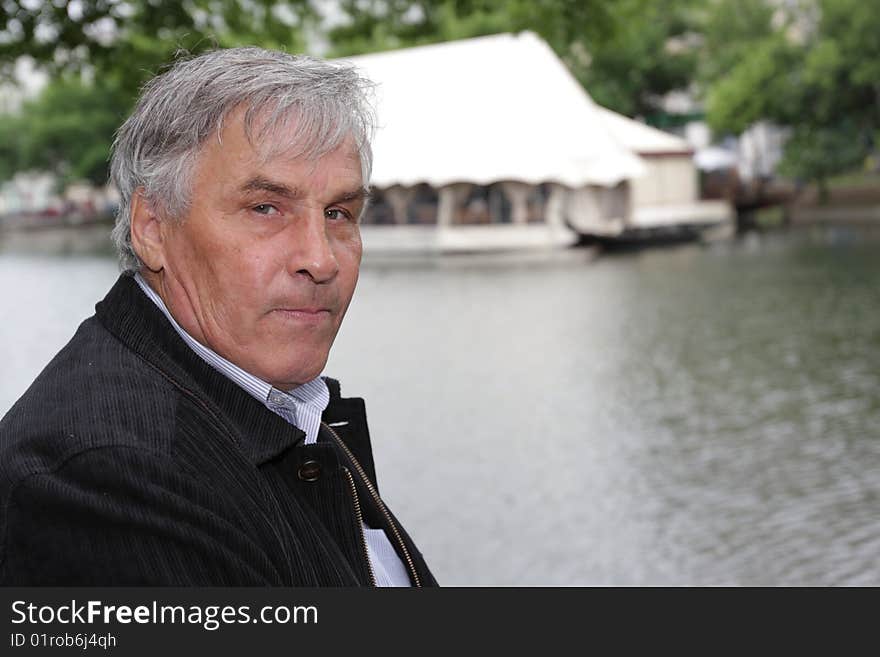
x=483 y=110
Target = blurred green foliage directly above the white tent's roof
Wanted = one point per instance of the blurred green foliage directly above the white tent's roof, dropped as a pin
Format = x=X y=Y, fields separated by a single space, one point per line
x=618 y=50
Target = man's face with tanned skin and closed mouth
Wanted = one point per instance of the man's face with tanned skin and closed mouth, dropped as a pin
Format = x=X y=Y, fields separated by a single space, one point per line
x=263 y=266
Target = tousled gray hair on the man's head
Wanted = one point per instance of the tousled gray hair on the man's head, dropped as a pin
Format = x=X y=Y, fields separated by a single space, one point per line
x=324 y=103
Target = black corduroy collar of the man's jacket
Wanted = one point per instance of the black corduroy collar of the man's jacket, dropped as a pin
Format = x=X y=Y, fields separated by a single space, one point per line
x=136 y=321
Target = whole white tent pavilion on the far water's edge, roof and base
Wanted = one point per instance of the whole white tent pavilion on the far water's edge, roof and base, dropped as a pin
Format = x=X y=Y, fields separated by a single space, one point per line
x=505 y=109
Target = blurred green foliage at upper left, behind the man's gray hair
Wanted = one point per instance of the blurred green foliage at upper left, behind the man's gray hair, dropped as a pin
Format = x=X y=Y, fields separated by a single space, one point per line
x=68 y=130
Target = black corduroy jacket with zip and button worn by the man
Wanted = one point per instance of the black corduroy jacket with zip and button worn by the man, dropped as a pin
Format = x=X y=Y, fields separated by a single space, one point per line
x=131 y=461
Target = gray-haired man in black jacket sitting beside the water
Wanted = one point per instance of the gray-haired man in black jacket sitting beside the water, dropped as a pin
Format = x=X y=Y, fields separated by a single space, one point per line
x=185 y=436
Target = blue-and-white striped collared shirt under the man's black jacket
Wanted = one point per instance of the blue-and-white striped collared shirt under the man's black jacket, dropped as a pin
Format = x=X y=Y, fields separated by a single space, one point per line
x=302 y=407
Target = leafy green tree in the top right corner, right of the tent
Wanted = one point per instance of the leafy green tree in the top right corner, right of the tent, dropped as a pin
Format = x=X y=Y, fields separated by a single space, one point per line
x=818 y=72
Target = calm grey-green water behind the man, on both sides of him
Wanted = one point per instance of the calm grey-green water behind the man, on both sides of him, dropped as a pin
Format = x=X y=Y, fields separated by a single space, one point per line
x=687 y=416
